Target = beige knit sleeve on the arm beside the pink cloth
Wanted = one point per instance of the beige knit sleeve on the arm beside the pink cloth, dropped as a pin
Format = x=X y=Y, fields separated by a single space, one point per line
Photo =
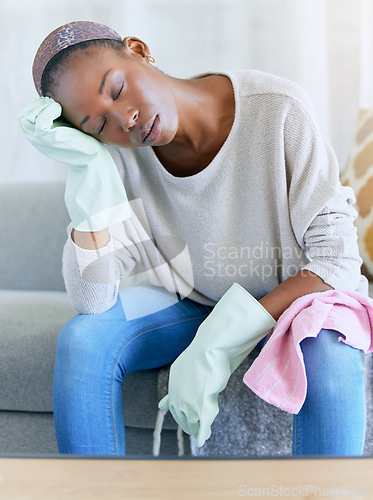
x=321 y=209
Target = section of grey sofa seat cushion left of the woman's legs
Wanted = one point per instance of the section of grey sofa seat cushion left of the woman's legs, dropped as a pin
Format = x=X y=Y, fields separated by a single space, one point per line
x=30 y=323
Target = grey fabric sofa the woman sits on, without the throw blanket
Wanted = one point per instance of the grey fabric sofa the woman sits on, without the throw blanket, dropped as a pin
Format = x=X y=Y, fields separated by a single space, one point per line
x=33 y=308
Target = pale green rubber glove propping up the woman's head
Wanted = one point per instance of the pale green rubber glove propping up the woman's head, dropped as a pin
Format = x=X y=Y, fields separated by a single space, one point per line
x=95 y=196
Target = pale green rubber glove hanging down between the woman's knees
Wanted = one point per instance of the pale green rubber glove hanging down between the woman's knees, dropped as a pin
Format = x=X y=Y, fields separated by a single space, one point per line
x=223 y=340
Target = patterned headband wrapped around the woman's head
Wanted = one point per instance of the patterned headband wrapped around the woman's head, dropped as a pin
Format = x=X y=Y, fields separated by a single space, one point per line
x=65 y=36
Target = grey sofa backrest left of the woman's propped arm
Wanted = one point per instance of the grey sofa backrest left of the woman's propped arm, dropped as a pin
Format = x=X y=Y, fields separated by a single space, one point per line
x=33 y=221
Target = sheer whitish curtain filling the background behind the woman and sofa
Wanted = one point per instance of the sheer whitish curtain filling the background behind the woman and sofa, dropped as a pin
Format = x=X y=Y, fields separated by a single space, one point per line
x=324 y=45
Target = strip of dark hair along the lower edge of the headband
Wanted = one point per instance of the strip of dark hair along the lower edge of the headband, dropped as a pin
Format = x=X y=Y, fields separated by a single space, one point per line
x=59 y=61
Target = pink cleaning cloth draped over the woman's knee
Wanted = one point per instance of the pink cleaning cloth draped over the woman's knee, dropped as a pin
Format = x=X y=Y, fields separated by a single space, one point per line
x=278 y=374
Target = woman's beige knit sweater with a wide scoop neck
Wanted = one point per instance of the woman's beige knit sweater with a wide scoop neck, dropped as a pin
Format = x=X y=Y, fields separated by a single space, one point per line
x=267 y=206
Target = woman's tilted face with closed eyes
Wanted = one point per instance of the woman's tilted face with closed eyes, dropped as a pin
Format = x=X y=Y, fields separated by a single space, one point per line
x=119 y=98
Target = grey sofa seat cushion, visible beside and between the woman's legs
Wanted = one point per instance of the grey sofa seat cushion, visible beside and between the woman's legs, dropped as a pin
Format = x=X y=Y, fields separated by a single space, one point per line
x=30 y=324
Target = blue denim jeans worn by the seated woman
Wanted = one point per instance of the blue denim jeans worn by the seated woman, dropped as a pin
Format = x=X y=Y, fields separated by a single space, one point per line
x=95 y=352
